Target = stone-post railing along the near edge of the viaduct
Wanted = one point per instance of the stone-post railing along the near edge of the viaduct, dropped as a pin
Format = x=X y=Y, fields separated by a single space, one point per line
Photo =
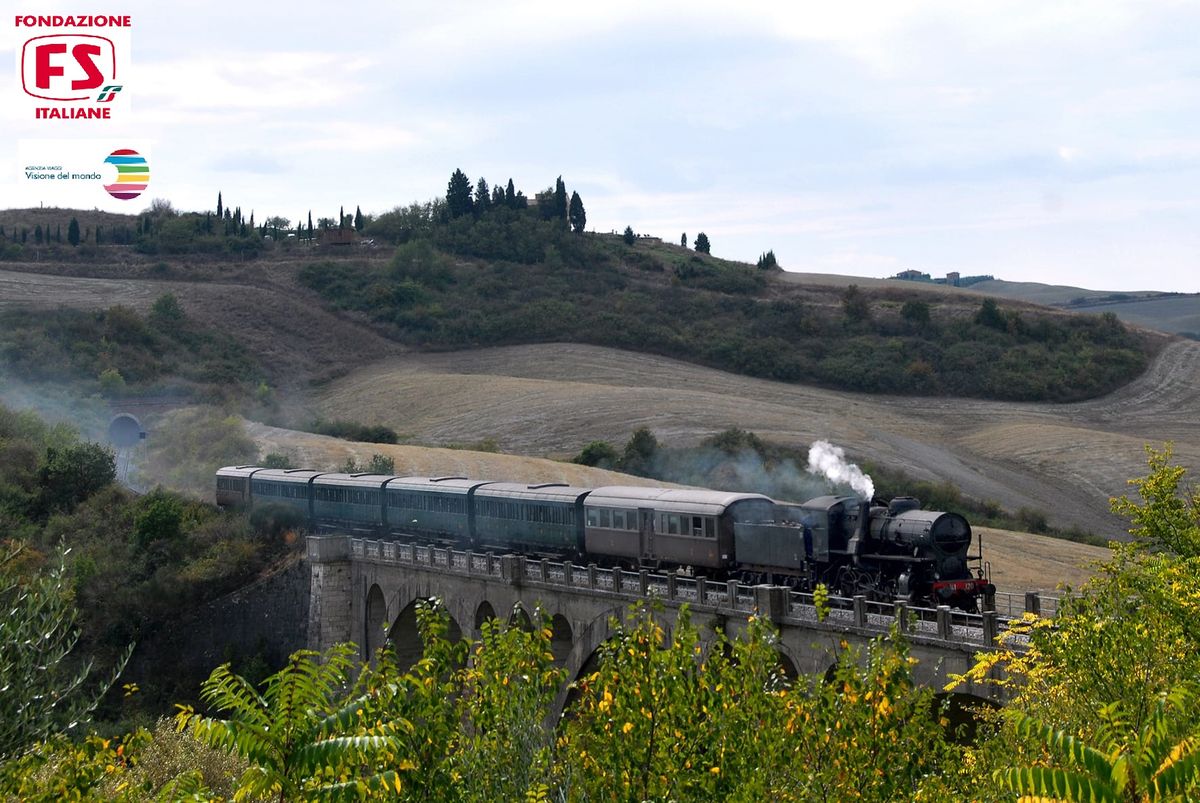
x=859 y=613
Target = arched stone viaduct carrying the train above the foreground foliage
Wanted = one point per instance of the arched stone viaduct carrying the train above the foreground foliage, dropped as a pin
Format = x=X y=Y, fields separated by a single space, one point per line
x=365 y=591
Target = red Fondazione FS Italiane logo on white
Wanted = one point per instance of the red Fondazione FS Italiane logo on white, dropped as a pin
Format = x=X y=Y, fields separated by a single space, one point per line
x=74 y=68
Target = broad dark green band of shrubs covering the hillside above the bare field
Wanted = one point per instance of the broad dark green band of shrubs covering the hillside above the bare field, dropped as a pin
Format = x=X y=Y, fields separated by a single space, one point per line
x=508 y=277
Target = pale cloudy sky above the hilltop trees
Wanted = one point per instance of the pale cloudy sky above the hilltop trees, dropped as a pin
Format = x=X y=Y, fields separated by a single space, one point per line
x=1052 y=142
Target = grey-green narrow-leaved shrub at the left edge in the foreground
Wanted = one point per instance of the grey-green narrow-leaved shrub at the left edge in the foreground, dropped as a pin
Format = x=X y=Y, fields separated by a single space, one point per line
x=47 y=687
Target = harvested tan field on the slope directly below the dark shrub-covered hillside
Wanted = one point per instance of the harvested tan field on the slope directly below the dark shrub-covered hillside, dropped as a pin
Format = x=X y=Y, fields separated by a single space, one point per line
x=1066 y=460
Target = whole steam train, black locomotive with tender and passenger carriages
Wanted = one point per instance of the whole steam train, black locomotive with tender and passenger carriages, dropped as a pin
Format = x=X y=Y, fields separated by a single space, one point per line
x=895 y=552
